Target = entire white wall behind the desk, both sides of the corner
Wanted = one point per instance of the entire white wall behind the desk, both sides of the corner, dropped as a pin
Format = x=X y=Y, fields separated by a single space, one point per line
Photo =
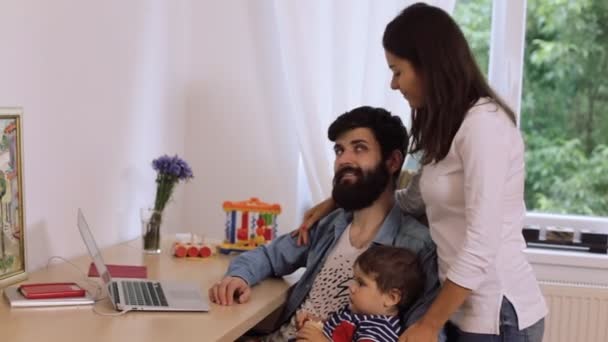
x=108 y=86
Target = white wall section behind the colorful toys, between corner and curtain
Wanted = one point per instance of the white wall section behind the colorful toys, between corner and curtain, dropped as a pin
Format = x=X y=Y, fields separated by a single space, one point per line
x=236 y=151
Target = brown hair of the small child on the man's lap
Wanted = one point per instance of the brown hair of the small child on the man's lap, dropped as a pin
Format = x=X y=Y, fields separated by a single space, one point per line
x=394 y=268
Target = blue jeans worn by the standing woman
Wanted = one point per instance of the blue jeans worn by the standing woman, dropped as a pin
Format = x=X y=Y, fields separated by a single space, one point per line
x=509 y=329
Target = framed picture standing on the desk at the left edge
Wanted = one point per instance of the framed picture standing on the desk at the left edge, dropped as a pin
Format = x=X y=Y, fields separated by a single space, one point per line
x=12 y=225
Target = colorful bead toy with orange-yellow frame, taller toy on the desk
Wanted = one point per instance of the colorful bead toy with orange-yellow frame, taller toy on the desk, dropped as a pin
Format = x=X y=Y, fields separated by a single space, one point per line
x=249 y=224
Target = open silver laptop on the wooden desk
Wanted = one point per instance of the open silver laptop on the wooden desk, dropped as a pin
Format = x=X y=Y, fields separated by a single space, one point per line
x=142 y=294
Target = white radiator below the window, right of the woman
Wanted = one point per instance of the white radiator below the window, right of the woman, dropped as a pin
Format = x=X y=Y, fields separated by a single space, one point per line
x=577 y=312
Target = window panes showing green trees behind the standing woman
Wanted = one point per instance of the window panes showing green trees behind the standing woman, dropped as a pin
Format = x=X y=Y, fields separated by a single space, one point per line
x=564 y=103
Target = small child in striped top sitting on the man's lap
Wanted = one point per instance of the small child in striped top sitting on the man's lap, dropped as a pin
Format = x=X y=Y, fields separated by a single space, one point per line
x=387 y=280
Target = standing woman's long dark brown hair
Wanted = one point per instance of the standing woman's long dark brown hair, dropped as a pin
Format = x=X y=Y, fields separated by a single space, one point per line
x=432 y=42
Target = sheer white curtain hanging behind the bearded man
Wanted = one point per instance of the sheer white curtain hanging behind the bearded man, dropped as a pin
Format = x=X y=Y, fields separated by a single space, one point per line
x=331 y=60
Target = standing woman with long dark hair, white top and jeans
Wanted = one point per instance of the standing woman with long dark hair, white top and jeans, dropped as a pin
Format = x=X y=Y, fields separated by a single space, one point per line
x=471 y=185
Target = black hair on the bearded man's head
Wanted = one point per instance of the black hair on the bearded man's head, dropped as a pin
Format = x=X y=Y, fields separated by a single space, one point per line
x=388 y=130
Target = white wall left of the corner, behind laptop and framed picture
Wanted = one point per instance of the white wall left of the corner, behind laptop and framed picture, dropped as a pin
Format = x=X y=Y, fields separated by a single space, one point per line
x=101 y=84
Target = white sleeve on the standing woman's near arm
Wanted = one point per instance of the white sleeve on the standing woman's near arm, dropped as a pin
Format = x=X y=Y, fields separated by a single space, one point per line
x=491 y=151
